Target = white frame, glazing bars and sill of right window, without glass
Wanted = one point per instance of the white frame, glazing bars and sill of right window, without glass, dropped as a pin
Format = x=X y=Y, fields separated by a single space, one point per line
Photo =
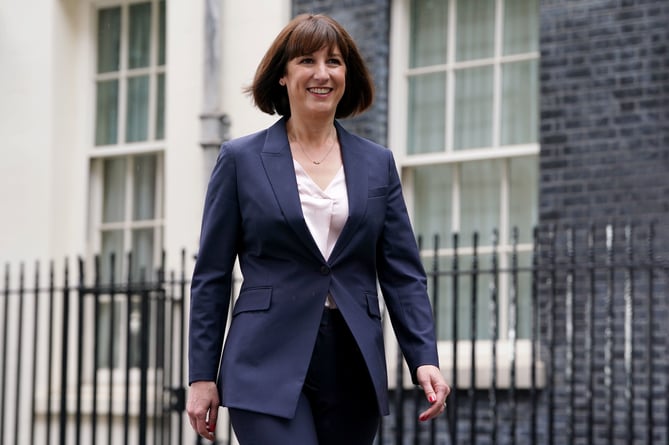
x=398 y=123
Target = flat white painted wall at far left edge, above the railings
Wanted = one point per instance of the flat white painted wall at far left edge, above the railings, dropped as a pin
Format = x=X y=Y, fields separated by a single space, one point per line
x=25 y=129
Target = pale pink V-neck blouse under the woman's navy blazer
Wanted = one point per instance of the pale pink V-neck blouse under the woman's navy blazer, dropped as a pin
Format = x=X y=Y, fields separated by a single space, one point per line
x=325 y=210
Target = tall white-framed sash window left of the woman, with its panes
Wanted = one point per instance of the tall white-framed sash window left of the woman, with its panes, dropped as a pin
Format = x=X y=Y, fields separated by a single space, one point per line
x=126 y=165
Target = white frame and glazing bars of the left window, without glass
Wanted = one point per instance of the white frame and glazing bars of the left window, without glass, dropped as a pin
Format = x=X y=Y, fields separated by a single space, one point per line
x=97 y=154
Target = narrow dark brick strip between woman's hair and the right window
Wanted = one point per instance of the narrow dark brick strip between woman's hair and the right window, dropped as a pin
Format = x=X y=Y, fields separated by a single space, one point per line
x=368 y=22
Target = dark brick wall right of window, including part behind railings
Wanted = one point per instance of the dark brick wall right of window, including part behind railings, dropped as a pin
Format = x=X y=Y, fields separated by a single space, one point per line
x=605 y=159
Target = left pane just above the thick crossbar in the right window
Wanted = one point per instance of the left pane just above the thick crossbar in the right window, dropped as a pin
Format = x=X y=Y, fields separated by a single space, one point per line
x=427 y=113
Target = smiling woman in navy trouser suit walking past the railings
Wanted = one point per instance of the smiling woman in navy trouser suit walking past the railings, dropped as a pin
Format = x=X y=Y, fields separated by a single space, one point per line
x=315 y=216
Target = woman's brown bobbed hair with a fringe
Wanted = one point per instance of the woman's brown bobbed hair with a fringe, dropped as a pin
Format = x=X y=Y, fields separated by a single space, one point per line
x=306 y=34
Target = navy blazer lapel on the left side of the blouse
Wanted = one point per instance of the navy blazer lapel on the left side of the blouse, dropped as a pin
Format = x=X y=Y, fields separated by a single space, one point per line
x=278 y=164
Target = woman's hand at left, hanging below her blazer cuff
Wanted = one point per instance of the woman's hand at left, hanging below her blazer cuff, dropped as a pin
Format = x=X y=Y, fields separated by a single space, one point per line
x=202 y=408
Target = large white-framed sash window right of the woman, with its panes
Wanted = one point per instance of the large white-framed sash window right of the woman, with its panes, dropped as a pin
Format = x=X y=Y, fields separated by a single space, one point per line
x=465 y=129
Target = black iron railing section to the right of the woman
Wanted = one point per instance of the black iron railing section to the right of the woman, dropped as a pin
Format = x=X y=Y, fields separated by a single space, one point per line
x=597 y=332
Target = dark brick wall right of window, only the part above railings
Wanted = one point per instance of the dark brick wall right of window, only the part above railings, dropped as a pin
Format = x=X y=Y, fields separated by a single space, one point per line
x=604 y=111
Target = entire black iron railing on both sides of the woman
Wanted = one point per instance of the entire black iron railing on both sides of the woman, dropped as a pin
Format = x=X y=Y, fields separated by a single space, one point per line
x=560 y=340
